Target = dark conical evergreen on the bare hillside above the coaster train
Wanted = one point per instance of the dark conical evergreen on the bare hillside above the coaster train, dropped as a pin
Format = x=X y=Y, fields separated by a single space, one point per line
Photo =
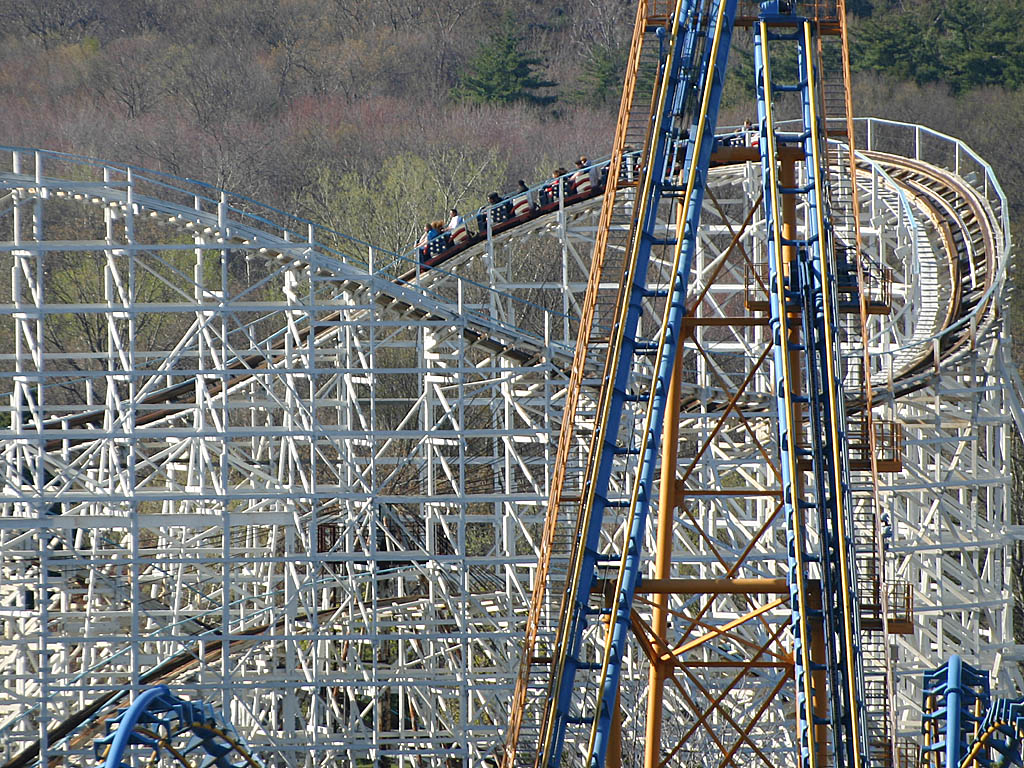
x=502 y=72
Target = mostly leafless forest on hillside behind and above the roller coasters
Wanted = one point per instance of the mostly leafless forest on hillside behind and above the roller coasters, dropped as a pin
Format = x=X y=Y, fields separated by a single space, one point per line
x=370 y=117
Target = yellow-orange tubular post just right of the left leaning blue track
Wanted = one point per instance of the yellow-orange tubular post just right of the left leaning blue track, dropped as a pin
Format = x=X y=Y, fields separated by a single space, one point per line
x=660 y=670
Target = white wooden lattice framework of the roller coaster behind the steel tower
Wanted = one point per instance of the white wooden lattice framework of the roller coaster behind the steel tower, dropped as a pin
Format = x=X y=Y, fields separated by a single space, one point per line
x=244 y=460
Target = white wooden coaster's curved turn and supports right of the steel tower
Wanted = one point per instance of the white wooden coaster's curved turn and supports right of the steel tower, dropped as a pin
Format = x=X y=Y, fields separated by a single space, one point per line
x=953 y=405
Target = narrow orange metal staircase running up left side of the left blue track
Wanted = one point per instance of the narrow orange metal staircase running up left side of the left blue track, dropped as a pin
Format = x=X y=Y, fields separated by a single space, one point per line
x=579 y=423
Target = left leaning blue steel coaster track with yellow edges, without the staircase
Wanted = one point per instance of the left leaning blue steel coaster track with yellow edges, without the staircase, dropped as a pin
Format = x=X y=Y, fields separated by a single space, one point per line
x=582 y=694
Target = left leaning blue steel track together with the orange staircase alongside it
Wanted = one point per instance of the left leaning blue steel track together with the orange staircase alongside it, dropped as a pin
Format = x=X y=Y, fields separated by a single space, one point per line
x=587 y=652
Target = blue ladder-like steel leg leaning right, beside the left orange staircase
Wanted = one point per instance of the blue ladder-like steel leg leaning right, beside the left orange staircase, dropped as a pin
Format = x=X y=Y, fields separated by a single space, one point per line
x=694 y=65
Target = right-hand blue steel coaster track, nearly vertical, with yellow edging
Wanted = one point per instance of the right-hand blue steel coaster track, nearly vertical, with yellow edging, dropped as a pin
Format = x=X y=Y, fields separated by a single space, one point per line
x=803 y=303
